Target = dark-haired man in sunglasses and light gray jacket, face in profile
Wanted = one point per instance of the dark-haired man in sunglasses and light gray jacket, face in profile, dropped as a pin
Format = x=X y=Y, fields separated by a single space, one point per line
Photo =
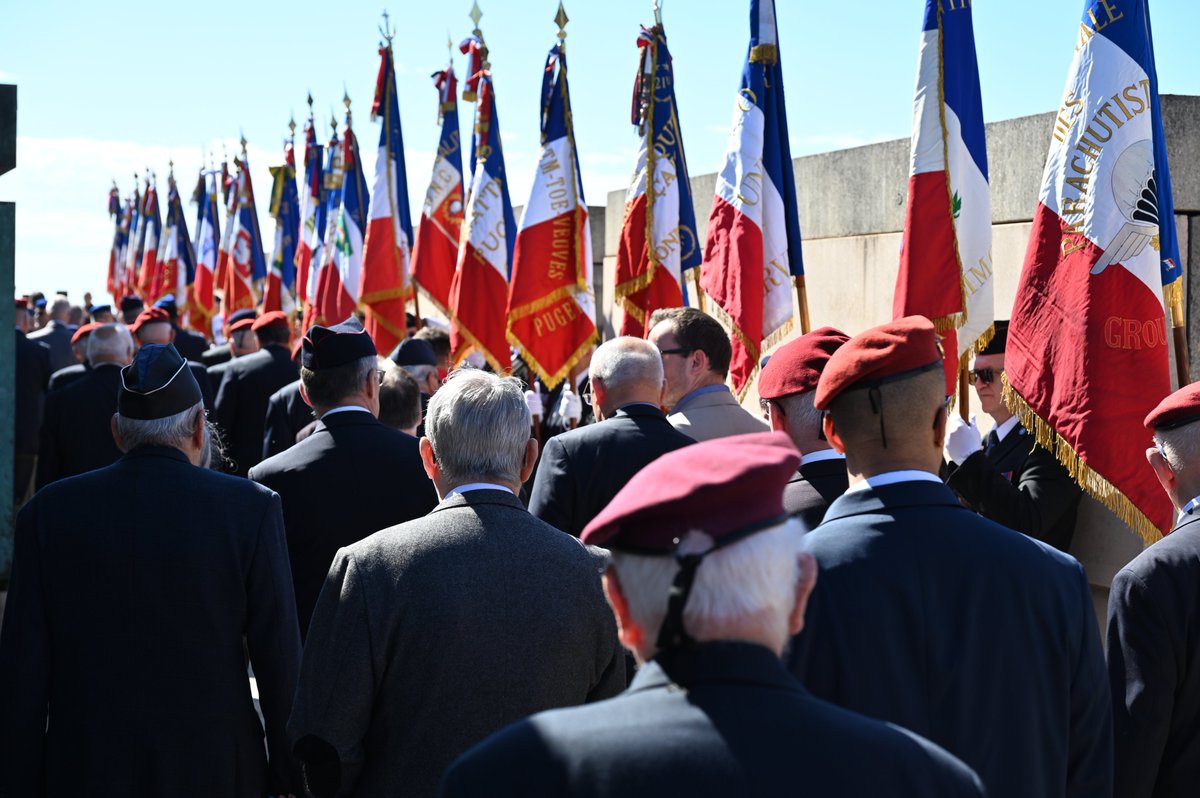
x=697 y=356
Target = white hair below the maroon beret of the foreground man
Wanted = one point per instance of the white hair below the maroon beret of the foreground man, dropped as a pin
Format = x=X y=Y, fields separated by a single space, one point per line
x=748 y=586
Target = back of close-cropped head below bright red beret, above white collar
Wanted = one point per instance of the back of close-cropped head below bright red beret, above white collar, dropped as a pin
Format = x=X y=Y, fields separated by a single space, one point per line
x=901 y=425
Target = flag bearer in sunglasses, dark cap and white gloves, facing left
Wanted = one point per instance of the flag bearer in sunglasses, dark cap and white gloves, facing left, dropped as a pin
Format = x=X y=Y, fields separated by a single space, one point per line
x=1007 y=477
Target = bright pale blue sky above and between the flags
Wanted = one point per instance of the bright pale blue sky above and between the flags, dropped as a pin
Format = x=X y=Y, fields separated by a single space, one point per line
x=106 y=91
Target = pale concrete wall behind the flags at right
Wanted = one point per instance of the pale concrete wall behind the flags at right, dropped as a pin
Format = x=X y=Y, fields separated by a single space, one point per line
x=853 y=205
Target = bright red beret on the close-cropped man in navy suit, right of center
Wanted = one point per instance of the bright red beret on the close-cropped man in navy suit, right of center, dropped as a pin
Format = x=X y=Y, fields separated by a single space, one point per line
x=899 y=349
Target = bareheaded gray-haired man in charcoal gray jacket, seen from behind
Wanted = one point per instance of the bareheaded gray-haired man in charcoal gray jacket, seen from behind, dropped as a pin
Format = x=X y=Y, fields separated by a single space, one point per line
x=434 y=634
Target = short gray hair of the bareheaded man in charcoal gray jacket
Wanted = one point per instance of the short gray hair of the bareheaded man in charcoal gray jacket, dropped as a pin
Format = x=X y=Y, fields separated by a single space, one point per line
x=479 y=427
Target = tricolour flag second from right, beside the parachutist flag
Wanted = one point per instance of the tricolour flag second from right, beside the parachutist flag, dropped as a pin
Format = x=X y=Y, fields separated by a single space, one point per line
x=946 y=271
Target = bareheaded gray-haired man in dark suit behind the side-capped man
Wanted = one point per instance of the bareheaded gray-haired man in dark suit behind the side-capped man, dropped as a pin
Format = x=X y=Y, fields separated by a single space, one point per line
x=77 y=433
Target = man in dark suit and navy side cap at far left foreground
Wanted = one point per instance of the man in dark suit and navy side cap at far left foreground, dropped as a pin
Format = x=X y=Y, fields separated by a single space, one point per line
x=123 y=667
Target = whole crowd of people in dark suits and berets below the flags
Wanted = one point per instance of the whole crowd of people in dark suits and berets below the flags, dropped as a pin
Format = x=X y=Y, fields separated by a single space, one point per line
x=285 y=563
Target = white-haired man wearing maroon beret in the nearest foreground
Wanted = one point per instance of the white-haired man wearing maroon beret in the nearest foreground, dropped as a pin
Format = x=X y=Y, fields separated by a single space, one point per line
x=703 y=536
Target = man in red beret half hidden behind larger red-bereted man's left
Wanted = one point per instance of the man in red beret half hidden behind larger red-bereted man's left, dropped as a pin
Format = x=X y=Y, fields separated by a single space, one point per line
x=787 y=388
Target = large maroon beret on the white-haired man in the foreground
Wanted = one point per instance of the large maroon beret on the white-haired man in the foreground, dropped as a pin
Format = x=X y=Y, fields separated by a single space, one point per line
x=723 y=488
